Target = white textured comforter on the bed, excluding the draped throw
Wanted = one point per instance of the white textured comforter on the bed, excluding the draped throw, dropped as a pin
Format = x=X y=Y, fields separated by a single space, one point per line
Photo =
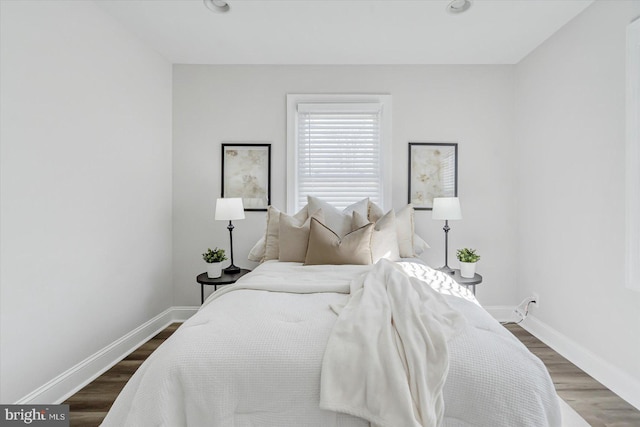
x=252 y=356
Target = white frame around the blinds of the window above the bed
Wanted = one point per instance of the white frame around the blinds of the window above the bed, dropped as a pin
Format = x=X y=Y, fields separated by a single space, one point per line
x=292 y=141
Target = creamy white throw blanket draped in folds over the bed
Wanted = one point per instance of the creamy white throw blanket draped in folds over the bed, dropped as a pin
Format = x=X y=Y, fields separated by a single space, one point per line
x=387 y=359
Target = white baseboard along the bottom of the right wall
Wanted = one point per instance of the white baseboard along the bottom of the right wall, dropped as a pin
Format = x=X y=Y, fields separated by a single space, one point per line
x=609 y=375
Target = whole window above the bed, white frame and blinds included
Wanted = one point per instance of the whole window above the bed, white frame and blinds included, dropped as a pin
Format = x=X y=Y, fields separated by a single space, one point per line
x=338 y=149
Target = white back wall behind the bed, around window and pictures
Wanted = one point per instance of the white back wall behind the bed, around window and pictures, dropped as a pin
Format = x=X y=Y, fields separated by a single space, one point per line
x=472 y=105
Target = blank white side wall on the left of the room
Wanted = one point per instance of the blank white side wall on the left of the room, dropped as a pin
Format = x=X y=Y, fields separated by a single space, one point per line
x=85 y=187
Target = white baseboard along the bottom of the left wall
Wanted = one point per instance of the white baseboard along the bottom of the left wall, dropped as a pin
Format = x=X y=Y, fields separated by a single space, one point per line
x=69 y=382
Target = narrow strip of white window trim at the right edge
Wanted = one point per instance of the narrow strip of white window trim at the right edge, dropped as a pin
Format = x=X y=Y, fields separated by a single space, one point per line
x=632 y=278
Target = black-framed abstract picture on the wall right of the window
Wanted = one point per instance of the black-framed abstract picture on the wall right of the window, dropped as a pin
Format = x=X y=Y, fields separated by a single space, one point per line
x=433 y=172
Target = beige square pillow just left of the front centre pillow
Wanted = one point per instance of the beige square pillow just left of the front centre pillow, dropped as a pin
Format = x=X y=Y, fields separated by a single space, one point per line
x=294 y=236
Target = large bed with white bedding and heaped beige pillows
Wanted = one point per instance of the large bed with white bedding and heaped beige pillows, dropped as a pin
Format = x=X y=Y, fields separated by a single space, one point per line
x=390 y=343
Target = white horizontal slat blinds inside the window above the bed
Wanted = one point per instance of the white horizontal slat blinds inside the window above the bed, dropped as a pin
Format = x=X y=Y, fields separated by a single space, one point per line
x=339 y=155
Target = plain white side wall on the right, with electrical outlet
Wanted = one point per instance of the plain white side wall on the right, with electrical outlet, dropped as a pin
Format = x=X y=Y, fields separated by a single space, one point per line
x=570 y=95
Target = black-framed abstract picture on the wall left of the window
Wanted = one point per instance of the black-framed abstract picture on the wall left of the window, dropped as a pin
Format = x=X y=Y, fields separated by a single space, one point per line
x=246 y=173
